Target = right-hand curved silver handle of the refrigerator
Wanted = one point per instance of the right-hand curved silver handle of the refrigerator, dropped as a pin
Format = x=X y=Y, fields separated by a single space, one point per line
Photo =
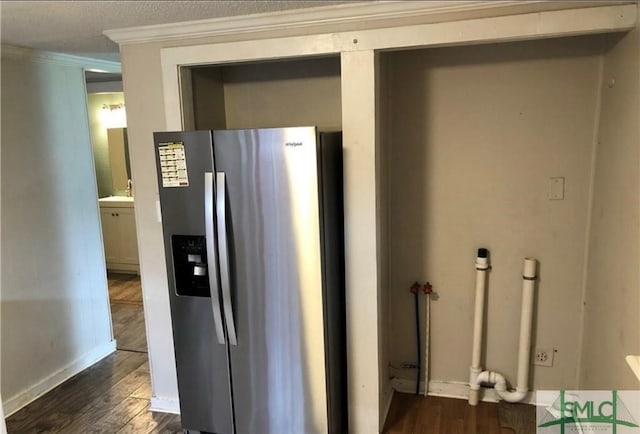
x=223 y=250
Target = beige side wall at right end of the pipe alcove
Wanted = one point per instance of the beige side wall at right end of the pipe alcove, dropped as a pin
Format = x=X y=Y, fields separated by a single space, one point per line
x=612 y=324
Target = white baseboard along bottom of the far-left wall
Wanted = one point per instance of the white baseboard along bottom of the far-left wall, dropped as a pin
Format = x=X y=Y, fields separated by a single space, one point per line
x=35 y=391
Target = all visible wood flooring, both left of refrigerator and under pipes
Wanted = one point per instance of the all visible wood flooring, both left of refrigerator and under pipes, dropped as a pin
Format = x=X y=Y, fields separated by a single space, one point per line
x=113 y=395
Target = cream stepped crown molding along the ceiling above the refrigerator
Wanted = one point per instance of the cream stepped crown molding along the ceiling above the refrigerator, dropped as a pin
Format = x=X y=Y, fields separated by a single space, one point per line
x=350 y=13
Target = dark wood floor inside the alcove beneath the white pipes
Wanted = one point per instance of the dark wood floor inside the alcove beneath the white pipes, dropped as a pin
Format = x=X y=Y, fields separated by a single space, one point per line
x=412 y=414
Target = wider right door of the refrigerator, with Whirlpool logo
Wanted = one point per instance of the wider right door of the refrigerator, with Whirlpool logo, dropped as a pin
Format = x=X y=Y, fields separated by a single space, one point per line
x=273 y=228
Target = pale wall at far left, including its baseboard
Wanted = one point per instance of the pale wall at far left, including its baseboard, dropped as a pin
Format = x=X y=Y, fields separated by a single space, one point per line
x=55 y=311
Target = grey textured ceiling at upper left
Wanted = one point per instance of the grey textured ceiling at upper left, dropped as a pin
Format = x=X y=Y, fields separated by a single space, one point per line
x=75 y=27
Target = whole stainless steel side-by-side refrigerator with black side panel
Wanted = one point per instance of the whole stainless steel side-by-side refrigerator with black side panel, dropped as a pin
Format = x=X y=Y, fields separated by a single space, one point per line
x=253 y=235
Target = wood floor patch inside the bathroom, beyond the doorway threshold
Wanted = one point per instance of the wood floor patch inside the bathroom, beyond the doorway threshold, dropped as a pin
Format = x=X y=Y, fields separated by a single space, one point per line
x=127 y=315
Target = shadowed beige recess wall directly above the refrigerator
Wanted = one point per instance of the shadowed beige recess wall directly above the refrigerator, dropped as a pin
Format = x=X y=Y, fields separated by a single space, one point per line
x=270 y=94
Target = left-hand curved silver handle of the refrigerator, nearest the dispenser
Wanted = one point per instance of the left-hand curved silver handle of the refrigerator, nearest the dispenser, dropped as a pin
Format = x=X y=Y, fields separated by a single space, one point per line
x=211 y=257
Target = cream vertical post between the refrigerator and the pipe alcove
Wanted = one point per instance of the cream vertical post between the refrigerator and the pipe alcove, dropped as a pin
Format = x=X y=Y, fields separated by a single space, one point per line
x=362 y=285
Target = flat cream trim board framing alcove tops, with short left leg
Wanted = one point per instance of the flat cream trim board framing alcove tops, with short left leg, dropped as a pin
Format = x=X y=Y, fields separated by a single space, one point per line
x=556 y=23
